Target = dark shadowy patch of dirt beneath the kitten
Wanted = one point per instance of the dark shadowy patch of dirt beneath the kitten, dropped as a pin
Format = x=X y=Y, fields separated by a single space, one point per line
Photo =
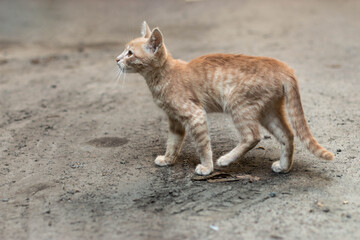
x=173 y=191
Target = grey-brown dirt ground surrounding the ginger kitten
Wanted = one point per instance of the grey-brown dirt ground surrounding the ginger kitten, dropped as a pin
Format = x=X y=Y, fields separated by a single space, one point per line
x=77 y=148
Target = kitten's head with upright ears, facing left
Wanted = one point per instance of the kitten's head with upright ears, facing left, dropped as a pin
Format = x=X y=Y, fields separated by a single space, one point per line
x=143 y=54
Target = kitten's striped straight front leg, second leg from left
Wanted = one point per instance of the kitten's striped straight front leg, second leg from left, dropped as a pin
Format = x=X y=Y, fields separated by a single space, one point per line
x=197 y=126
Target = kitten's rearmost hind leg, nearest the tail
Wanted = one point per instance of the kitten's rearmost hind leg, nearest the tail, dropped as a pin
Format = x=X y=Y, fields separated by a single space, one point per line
x=278 y=126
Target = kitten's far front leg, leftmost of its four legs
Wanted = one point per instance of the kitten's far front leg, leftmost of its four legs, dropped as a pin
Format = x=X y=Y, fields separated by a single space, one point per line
x=174 y=143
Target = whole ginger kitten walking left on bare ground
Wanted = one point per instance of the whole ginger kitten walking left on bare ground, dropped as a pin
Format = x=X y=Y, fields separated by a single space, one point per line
x=253 y=90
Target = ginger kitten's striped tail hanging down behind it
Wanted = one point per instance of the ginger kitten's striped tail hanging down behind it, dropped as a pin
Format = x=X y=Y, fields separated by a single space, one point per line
x=297 y=118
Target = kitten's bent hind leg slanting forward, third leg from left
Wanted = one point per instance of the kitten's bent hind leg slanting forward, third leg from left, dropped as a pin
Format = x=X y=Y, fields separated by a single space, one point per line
x=248 y=129
